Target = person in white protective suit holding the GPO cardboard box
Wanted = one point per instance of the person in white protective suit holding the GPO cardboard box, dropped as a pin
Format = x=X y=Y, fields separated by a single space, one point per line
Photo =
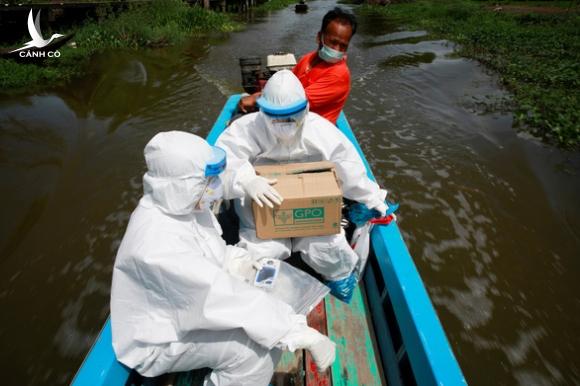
x=284 y=131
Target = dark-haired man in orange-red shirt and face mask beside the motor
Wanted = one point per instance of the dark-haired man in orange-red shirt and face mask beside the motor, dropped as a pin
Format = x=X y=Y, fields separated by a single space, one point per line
x=323 y=73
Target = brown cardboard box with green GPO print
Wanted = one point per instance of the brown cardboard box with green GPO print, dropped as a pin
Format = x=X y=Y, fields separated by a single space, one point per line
x=312 y=201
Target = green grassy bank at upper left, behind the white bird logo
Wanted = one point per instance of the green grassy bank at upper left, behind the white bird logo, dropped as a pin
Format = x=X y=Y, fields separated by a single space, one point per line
x=158 y=23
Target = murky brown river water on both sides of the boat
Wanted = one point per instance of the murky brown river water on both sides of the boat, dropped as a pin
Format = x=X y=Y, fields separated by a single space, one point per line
x=490 y=215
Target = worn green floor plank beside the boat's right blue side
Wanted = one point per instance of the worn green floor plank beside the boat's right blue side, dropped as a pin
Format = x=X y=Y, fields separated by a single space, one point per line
x=356 y=362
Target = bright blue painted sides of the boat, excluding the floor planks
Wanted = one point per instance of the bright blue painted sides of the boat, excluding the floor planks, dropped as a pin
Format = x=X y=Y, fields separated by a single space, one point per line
x=412 y=343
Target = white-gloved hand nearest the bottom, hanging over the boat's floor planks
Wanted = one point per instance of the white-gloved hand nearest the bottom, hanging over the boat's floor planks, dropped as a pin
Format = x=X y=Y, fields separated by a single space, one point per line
x=323 y=350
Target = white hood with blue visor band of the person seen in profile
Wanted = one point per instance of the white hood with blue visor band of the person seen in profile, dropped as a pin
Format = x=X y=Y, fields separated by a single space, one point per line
x=177 y=167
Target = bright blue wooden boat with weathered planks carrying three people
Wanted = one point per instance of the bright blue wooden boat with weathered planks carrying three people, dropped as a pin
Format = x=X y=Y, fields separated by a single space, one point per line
x=389 y=334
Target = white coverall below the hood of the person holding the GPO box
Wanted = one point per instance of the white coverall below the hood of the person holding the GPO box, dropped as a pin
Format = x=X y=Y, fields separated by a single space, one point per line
x=248 y=141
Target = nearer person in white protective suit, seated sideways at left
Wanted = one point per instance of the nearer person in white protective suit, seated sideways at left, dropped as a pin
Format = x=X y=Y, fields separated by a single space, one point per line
x=176 y=302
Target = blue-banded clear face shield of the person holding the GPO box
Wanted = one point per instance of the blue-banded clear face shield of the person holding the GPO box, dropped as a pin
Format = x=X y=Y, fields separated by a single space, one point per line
x=283 y=122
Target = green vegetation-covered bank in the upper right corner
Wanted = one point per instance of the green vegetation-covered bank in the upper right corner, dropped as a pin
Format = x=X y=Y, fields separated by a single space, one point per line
x=536 y=54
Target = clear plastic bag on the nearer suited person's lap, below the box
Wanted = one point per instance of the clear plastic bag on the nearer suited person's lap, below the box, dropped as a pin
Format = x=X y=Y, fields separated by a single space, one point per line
x=295 y=288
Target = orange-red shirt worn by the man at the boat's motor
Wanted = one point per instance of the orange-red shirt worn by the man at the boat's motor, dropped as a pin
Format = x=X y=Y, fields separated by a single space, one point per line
x=327 y=85
